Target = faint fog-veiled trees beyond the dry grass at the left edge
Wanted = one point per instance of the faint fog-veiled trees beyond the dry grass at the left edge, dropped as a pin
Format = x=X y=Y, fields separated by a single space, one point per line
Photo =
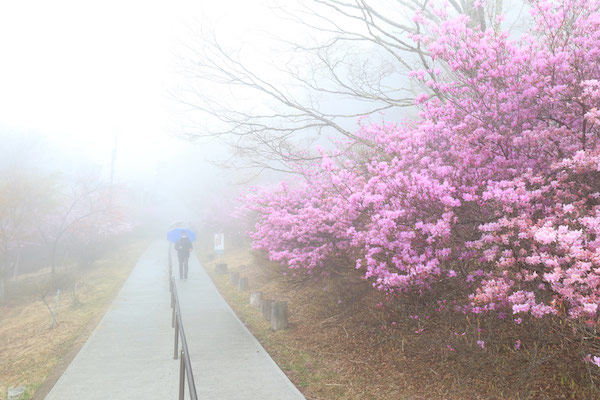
x=43 y=209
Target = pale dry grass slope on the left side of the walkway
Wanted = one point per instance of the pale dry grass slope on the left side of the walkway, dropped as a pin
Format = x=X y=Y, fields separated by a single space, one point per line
x=29 y=348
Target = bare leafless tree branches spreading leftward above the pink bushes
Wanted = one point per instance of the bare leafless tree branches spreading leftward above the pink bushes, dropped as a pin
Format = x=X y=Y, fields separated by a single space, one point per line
x=353 y=62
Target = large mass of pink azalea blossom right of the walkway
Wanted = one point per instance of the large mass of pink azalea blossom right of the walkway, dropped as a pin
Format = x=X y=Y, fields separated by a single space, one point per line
x=493 y=189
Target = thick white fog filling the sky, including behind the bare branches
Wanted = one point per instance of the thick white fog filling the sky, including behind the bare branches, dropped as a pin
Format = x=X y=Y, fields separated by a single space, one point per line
x=176 y=107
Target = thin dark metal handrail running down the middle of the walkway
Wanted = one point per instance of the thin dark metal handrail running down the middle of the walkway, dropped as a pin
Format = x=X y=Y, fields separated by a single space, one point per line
x=185 y=366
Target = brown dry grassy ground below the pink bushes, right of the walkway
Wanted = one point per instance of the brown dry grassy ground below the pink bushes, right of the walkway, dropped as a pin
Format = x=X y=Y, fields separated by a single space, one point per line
x=341 y=345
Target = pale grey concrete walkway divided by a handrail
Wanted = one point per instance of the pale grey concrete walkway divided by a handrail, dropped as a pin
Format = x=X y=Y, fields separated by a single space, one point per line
x=130 y=354
